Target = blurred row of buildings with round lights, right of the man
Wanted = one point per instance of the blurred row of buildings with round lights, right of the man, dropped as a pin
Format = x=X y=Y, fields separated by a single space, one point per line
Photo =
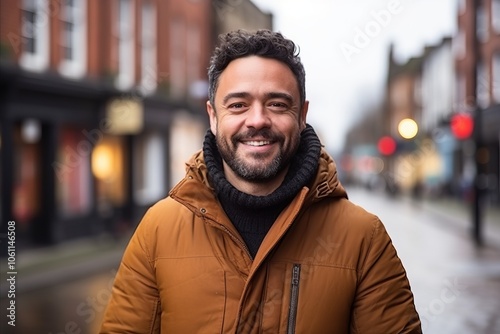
x=458 y=76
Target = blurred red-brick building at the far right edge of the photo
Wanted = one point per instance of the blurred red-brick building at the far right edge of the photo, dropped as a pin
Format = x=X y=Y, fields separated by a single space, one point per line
x=478 y=90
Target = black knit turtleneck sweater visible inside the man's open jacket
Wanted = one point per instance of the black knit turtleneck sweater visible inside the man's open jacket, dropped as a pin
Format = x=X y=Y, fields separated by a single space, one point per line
x=253 y=215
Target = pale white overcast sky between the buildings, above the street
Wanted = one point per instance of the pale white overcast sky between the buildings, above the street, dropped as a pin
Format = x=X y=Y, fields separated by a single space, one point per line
x=344 y=48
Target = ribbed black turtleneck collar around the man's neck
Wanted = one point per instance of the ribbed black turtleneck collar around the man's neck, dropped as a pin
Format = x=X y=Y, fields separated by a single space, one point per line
x=302 y=169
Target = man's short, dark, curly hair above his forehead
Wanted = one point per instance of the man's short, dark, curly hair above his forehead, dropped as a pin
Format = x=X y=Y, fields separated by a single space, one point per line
x=264 y=43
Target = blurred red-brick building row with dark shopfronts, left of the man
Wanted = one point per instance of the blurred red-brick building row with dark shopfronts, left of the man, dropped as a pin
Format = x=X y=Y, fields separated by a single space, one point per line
x=101 y=103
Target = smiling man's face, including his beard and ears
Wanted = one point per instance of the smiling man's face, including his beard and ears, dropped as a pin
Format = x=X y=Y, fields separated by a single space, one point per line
x=257 y=118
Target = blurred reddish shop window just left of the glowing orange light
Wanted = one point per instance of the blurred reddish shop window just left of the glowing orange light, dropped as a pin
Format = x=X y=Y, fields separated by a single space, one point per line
x=73 y=178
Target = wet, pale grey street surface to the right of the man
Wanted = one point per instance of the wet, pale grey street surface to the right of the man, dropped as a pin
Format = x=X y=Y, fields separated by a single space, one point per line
x=456 y=284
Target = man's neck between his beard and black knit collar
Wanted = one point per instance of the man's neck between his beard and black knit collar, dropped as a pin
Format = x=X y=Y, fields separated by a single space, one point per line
x=254 y=188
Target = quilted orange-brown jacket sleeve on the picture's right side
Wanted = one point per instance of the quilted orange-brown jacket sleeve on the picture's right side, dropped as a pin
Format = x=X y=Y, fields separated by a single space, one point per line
x=384 y=302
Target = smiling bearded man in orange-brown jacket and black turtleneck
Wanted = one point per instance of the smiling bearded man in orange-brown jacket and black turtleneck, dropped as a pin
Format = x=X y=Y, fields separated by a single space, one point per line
x=259 y=237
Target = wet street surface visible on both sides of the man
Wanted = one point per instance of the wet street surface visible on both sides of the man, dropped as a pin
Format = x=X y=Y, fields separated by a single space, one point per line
x=456 y=285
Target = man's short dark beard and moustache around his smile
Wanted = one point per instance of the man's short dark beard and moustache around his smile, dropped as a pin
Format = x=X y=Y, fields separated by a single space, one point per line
x=257 y=172
